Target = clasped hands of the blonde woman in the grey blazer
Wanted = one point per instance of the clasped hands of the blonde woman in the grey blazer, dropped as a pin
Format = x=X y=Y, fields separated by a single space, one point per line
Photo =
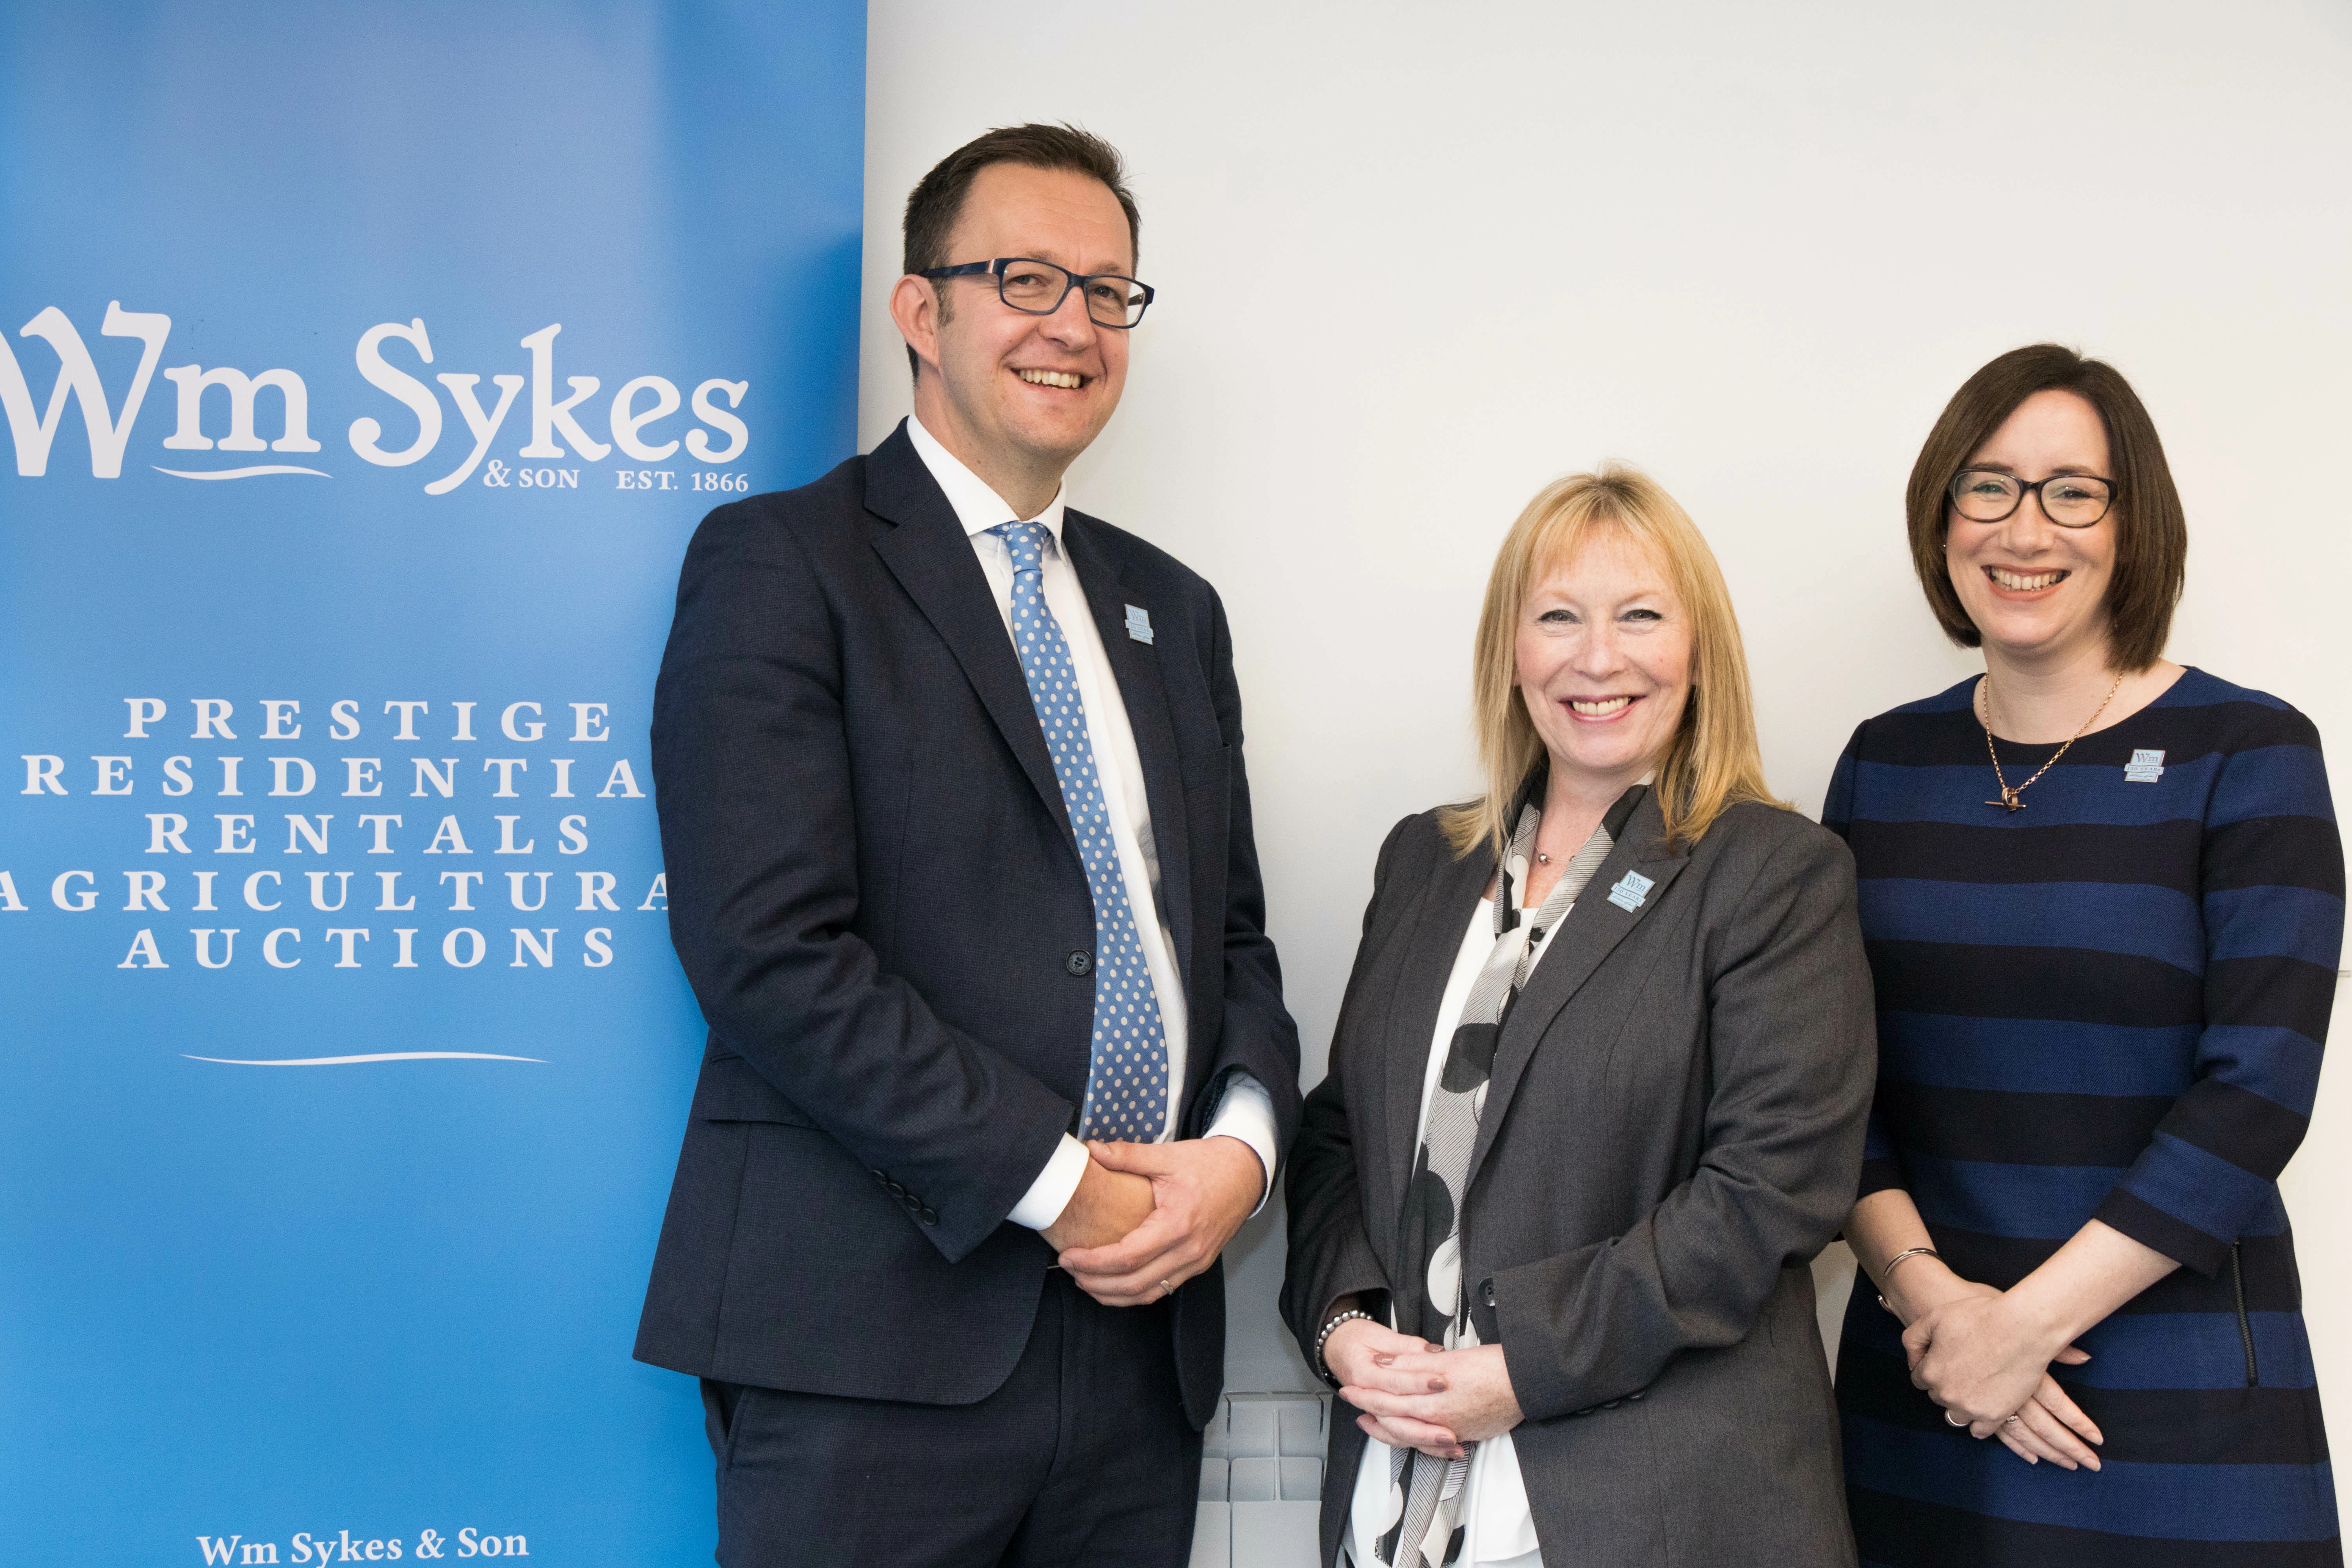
x=1415 y=1395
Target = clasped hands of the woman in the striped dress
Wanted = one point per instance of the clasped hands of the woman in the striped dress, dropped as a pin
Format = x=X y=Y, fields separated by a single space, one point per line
x=1977 y=1355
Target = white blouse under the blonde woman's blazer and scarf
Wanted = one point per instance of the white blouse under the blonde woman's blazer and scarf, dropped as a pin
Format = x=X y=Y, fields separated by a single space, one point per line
x=1502 y=1532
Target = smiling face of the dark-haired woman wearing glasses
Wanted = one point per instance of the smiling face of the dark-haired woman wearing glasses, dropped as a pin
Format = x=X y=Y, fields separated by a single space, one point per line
x=2036 y=591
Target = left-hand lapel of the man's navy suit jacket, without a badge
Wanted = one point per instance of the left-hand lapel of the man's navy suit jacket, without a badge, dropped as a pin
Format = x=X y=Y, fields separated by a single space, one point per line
x=933 y=561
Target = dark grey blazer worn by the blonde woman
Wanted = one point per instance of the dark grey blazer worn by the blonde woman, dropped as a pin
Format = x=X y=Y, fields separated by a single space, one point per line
x=1673 y=1132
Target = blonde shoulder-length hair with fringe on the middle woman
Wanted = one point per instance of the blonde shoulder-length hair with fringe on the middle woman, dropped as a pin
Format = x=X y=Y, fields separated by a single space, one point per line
x=1713 y=760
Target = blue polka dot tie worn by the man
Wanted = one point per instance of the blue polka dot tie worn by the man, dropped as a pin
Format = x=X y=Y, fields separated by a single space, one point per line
x=1128 y=1083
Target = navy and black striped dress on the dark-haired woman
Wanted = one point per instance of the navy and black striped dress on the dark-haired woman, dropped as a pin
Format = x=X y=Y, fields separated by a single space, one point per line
x=2109 y=1005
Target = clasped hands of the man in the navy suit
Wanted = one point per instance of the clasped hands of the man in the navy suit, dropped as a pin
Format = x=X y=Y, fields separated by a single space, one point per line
x=1149 y=1217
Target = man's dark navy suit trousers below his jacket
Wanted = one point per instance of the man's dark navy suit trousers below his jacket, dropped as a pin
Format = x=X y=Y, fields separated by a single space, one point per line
x=1083 y=1456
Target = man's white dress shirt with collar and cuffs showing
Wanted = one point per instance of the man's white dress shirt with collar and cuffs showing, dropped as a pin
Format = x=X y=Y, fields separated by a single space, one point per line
x=1248 y=1111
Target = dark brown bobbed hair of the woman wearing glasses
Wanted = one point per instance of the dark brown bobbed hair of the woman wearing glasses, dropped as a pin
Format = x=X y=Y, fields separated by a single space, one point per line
x=2151 y=530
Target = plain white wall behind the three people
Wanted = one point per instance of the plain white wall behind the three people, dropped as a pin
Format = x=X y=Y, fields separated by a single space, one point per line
x=1415 y=262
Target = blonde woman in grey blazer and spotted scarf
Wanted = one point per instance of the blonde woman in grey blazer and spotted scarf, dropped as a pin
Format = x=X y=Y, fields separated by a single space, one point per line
x=1596 y=1101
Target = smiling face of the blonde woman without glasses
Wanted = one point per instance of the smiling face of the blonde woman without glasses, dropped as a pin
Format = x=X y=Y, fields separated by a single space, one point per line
x=1605 y=662
